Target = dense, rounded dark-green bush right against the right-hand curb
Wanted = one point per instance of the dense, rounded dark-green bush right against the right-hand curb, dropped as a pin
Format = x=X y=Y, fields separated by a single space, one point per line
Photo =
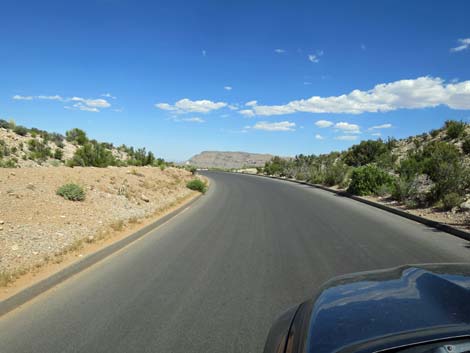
x=368 y=179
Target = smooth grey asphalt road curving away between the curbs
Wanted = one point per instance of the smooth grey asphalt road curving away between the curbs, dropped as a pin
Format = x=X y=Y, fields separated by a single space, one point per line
x=215 y=277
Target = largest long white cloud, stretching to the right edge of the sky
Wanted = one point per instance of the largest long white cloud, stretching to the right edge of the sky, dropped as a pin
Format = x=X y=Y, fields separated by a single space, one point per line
x=423 y=92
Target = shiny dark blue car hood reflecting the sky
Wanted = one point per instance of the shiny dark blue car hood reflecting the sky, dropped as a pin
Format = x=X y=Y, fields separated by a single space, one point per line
x=369 y=306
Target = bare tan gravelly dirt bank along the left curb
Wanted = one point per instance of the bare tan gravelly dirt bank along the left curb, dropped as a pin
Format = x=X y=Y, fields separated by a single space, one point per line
x=37 y=226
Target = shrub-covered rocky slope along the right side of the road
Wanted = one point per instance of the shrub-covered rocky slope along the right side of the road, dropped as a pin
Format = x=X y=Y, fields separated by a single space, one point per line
x=429 y=170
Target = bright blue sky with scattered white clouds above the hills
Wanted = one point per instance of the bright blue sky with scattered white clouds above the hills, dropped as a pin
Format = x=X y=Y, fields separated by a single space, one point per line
x=176 y=76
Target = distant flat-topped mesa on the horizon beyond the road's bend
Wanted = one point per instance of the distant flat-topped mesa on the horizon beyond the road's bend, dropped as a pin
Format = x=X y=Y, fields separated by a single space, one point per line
x=229 y=160
